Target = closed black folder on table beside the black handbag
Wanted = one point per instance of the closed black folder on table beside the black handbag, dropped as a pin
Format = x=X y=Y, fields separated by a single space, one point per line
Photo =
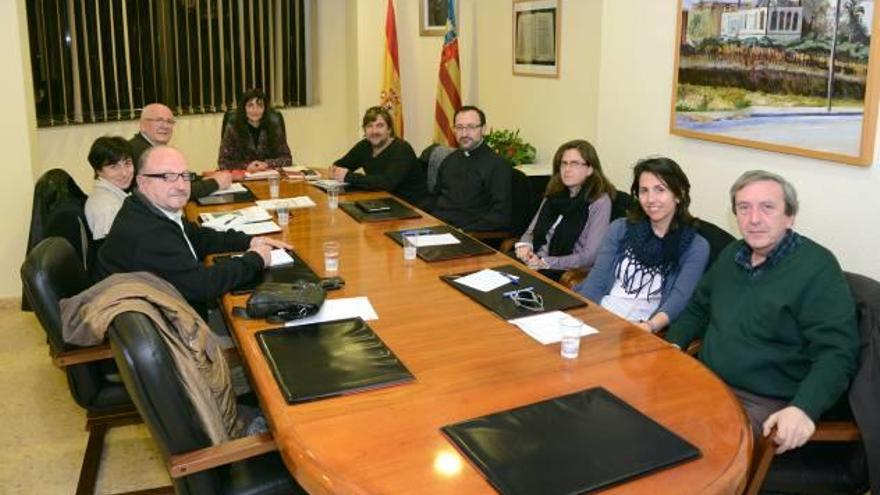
x=321 y=360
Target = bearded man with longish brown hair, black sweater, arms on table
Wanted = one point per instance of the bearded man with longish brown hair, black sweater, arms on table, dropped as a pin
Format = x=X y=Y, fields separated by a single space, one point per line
x=389 y=163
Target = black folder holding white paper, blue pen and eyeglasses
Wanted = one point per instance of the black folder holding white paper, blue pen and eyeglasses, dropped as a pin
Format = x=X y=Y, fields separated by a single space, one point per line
x=555 y=299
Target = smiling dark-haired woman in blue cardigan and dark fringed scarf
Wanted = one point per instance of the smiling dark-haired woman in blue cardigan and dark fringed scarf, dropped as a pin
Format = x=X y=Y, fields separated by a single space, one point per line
x=650 y=262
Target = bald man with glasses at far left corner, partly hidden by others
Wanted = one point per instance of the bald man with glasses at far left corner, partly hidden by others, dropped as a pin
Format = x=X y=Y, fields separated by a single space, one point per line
x=156 y=128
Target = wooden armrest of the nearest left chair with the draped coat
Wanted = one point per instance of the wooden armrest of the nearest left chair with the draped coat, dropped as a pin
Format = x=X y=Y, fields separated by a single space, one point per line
x=218 y=455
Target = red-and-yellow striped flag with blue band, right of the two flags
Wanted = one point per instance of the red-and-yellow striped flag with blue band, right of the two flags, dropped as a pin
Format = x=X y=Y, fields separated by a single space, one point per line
x=448 y=84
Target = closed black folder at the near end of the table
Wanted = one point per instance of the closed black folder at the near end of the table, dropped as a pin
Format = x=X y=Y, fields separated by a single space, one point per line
x=576 y=443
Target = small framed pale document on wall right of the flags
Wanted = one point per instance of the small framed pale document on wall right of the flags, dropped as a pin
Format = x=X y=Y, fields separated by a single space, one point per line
x=536 y=28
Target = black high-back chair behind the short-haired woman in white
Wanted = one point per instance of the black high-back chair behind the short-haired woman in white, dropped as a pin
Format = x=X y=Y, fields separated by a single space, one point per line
x=59 y=210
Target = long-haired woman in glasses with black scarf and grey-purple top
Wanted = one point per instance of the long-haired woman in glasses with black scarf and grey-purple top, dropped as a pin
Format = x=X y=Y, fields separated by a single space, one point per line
x=570 y=224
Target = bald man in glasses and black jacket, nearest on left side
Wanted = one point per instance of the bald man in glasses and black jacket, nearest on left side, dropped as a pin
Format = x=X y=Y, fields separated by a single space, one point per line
x=150 y=234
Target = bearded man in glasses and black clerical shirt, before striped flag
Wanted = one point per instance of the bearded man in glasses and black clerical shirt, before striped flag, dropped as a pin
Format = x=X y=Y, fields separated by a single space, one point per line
x=474 y=182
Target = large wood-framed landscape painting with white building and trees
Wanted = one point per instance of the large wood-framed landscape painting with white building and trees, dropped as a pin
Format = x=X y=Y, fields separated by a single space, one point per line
x=791 y=76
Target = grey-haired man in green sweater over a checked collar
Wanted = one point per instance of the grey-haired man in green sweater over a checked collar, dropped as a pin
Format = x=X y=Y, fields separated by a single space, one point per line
x=776 y=316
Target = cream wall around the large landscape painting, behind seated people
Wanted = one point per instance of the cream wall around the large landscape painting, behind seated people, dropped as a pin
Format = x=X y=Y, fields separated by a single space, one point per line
x=839 y=203
